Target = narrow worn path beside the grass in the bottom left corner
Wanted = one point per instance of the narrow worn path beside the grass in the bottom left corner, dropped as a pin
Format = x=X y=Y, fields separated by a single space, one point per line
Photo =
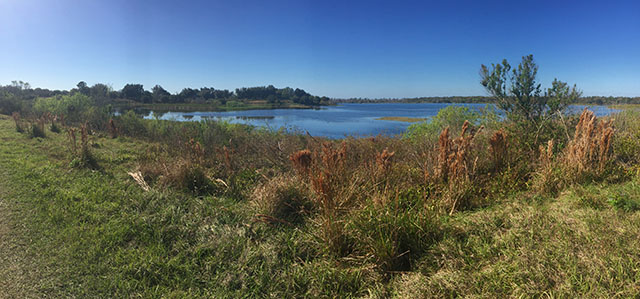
x=19 y=275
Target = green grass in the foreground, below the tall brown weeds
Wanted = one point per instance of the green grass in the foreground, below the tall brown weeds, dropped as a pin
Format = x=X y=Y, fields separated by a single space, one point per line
x=96 y=233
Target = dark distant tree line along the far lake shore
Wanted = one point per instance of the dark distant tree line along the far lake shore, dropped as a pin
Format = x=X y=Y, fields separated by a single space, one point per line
x=14 y=95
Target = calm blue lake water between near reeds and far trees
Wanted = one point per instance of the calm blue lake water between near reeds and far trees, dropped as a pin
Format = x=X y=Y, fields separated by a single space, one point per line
x=337 y=121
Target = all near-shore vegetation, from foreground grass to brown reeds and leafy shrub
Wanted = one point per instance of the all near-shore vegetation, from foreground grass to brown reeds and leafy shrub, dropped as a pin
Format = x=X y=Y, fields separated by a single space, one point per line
x=466 y=204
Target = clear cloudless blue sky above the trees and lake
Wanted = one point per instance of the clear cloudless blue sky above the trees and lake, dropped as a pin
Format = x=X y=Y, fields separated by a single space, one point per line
x=333 y=48
